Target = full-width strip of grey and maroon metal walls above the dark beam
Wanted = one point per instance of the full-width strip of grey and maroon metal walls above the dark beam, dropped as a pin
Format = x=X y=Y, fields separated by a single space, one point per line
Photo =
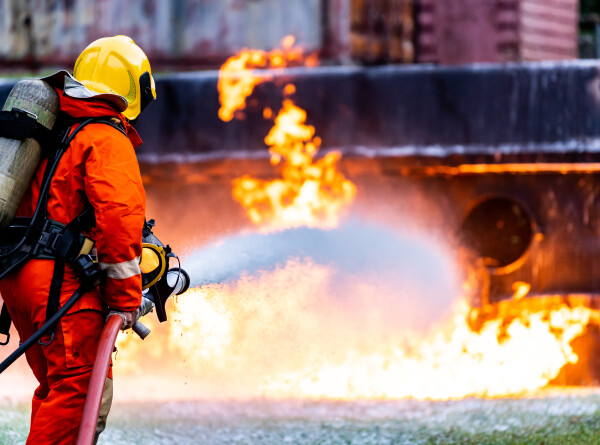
x=196 y=34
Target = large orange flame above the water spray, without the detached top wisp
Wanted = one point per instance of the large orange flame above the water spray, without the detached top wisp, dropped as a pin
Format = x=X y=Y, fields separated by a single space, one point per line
x=310 y=193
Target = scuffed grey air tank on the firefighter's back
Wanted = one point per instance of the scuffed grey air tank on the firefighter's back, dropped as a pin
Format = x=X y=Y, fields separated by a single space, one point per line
x=19 y=159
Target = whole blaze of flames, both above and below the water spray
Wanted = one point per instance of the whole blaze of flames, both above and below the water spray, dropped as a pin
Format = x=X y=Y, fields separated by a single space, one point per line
x=282 y=333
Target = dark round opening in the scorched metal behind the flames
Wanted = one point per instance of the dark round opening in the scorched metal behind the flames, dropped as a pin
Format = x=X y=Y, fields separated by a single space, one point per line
x=498 y=230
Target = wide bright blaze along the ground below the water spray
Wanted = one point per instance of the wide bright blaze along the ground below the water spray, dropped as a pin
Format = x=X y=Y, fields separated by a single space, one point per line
x=282 y=334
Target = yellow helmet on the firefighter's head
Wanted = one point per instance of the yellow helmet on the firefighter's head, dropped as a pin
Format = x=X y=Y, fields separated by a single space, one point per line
x=116 y=65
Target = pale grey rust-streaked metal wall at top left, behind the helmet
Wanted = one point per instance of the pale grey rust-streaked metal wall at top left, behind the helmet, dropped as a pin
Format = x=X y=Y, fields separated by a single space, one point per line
x=192 y=32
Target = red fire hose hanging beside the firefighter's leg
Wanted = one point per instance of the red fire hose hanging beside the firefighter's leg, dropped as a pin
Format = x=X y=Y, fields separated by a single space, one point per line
x=87 y=429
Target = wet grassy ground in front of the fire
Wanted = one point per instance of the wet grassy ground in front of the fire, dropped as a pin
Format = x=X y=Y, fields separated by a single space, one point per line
x=555 y=417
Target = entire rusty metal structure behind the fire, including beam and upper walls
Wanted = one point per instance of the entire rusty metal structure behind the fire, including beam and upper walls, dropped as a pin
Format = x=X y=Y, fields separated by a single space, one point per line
x=474 y=142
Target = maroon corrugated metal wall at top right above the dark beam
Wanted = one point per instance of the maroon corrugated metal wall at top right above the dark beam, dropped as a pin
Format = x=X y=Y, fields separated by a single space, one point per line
x=463 y=31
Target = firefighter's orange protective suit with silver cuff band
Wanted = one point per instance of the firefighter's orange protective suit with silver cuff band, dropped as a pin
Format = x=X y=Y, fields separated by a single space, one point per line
x=99 y=166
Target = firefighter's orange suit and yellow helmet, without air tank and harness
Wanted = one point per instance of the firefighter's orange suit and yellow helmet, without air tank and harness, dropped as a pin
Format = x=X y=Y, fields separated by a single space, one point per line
x=112 y=78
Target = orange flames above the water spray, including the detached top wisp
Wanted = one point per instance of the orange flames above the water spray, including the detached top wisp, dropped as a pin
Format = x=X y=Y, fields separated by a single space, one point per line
x=311 y=192
